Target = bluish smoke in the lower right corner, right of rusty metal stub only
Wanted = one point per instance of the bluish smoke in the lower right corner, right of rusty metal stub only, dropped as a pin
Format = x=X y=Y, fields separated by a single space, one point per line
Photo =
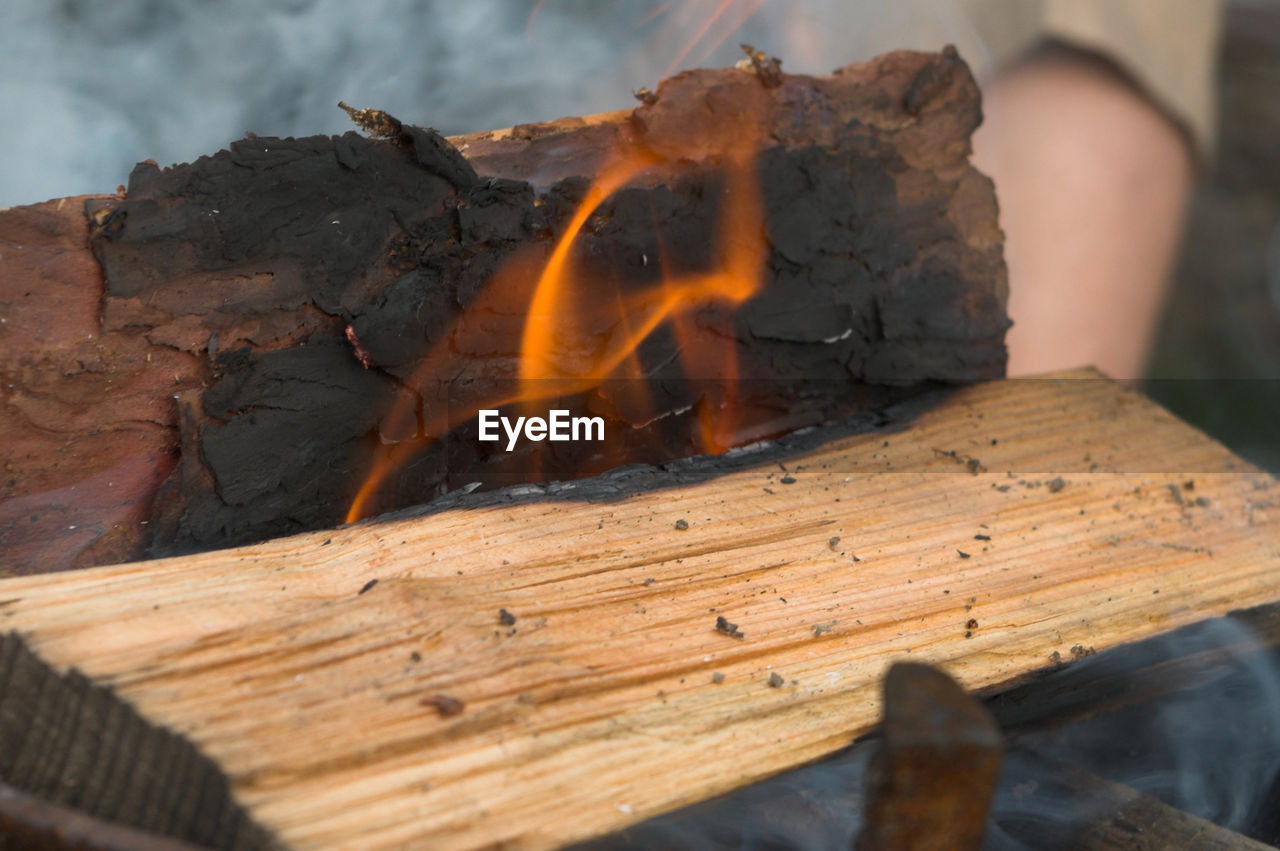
x=1210 y=747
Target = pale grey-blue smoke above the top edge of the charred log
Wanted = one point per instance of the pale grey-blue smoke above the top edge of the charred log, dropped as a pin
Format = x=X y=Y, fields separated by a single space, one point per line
x=89 y=89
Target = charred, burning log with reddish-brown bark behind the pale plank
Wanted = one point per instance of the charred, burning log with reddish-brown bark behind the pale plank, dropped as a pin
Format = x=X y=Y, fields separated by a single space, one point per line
x=299 y=332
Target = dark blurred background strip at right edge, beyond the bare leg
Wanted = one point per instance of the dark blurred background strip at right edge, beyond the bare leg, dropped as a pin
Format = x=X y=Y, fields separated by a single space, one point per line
x=1217 y=360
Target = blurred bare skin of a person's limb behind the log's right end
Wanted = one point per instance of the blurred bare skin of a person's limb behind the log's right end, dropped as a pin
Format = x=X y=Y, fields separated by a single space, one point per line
x=1094 y=184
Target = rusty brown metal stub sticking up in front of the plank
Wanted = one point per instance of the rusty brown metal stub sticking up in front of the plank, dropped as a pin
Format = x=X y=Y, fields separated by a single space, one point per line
x=935 y=774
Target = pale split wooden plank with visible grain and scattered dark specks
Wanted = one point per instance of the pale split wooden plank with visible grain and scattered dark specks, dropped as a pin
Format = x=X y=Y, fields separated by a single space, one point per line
x=598 y=707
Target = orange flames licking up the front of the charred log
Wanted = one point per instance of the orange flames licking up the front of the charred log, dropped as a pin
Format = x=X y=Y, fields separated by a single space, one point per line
x=560 y=354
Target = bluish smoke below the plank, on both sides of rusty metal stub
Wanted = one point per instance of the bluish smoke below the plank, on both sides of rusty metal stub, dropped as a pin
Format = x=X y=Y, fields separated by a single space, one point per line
x=1197 y=726
